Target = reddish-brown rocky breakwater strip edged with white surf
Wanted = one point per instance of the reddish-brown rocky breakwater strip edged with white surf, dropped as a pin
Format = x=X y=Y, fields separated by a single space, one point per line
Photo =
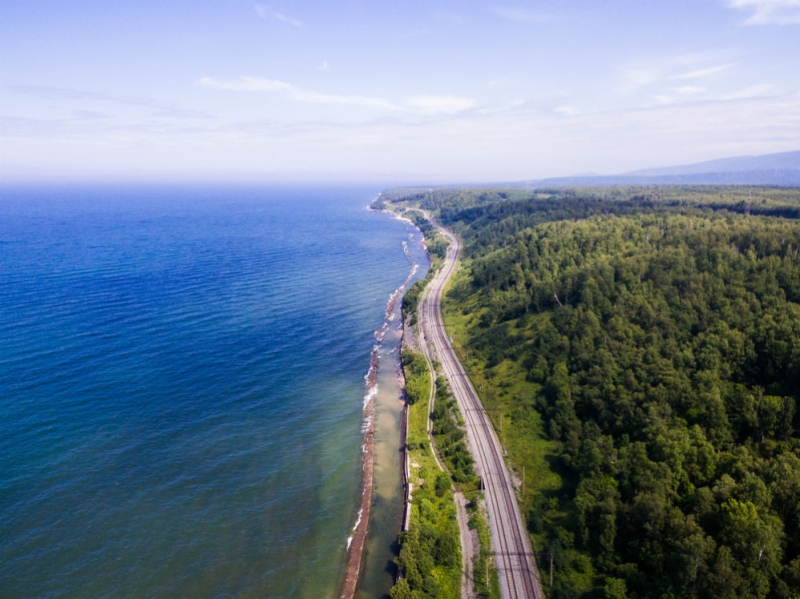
x=356 y=541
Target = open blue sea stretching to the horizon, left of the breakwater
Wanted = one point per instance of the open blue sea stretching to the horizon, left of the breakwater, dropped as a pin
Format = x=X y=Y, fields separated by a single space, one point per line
x=181 y=383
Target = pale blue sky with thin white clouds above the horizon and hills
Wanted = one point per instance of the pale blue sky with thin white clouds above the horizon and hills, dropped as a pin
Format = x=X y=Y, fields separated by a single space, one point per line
x=411 y=92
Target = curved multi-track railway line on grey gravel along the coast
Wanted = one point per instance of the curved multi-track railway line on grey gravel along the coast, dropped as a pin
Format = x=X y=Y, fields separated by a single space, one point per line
x=510 y=543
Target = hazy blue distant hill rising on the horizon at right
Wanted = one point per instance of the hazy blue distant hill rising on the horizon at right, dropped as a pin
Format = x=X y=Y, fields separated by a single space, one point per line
x=781 y=169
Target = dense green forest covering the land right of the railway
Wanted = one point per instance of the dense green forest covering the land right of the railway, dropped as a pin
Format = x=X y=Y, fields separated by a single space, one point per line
x=654 y=337
